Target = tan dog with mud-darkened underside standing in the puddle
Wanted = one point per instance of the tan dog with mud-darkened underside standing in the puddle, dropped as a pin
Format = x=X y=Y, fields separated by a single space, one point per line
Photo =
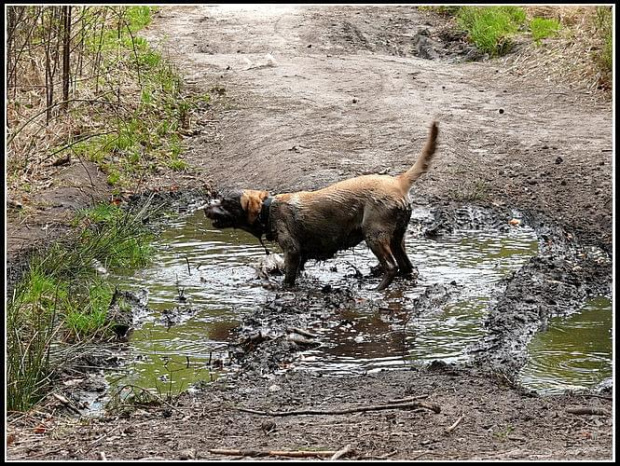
x=317 y=224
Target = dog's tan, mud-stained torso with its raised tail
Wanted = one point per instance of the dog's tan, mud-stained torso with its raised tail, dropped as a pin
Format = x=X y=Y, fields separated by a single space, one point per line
x=343 y=214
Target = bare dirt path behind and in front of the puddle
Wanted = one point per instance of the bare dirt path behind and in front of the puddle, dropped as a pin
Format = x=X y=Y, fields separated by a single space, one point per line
x=346 y=91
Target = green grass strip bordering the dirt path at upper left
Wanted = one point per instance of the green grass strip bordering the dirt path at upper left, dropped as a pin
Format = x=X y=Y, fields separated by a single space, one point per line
x=144 y=137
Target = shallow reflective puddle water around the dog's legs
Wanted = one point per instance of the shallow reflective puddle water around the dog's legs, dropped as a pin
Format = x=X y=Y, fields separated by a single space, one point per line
x=203 y=281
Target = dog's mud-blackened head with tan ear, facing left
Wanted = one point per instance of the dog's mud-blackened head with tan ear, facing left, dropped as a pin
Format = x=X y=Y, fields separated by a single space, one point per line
x=238 y=209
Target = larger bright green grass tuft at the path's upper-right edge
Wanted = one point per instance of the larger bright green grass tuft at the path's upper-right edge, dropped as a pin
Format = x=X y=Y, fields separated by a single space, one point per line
x=491 y=28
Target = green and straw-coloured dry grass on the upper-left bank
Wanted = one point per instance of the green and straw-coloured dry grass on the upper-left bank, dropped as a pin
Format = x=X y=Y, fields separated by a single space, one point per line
x=141 y=109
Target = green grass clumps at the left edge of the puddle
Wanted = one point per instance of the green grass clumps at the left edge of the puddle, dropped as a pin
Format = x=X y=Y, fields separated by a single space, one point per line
x=62 y=298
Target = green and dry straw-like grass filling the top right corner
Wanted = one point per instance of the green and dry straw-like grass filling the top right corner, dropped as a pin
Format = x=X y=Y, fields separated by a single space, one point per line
x=582 y=55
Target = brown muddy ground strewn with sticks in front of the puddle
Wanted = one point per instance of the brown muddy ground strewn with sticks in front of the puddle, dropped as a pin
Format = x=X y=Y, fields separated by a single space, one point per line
x=479 y=418
